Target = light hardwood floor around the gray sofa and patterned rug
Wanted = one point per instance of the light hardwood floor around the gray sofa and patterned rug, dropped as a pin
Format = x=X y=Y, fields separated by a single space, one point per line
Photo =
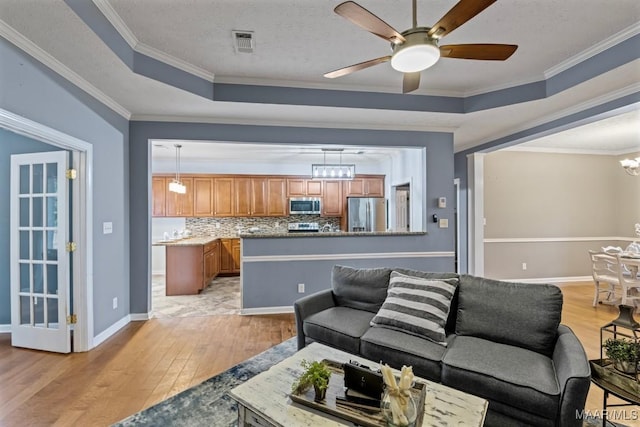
x=147 y=362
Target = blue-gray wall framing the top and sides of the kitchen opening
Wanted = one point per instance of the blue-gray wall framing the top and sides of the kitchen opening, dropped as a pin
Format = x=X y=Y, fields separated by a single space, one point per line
x=439 y=179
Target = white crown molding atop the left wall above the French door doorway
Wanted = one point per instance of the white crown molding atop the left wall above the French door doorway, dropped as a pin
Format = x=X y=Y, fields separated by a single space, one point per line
x=29 y=47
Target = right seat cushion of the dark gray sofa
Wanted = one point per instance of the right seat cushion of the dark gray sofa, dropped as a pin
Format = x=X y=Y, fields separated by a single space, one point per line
x=502 y=373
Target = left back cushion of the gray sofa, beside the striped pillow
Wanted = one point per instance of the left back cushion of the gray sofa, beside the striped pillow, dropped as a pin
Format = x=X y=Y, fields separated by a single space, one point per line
x=360 y=288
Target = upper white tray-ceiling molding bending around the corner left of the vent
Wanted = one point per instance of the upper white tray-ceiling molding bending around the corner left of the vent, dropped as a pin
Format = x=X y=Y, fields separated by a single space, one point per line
x=121 y=27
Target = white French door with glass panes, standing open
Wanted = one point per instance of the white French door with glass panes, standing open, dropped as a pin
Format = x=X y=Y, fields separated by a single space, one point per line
x=40 y=263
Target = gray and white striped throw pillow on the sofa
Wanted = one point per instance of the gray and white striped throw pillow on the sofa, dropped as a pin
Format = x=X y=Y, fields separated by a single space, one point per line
x=417 y=306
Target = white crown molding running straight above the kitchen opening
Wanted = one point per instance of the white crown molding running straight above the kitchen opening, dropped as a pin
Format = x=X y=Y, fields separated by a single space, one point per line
x=301 y=124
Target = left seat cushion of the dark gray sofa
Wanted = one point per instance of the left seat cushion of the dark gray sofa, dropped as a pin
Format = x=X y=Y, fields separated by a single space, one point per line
x=339 y=327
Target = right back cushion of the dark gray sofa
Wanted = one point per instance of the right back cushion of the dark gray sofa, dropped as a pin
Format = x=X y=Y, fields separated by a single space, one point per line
x=521 y=314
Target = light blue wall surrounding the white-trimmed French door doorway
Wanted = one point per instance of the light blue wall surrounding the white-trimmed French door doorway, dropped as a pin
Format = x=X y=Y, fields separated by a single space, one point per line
x=32 y=91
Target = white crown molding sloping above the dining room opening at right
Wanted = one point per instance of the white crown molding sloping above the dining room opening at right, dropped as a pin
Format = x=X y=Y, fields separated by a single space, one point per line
x=631 y=89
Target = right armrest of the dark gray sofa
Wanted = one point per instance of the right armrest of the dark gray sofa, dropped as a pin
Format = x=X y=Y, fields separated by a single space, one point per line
x=574 y=376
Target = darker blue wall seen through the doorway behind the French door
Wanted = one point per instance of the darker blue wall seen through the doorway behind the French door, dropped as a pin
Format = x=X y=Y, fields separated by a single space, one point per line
x=10 y=143
